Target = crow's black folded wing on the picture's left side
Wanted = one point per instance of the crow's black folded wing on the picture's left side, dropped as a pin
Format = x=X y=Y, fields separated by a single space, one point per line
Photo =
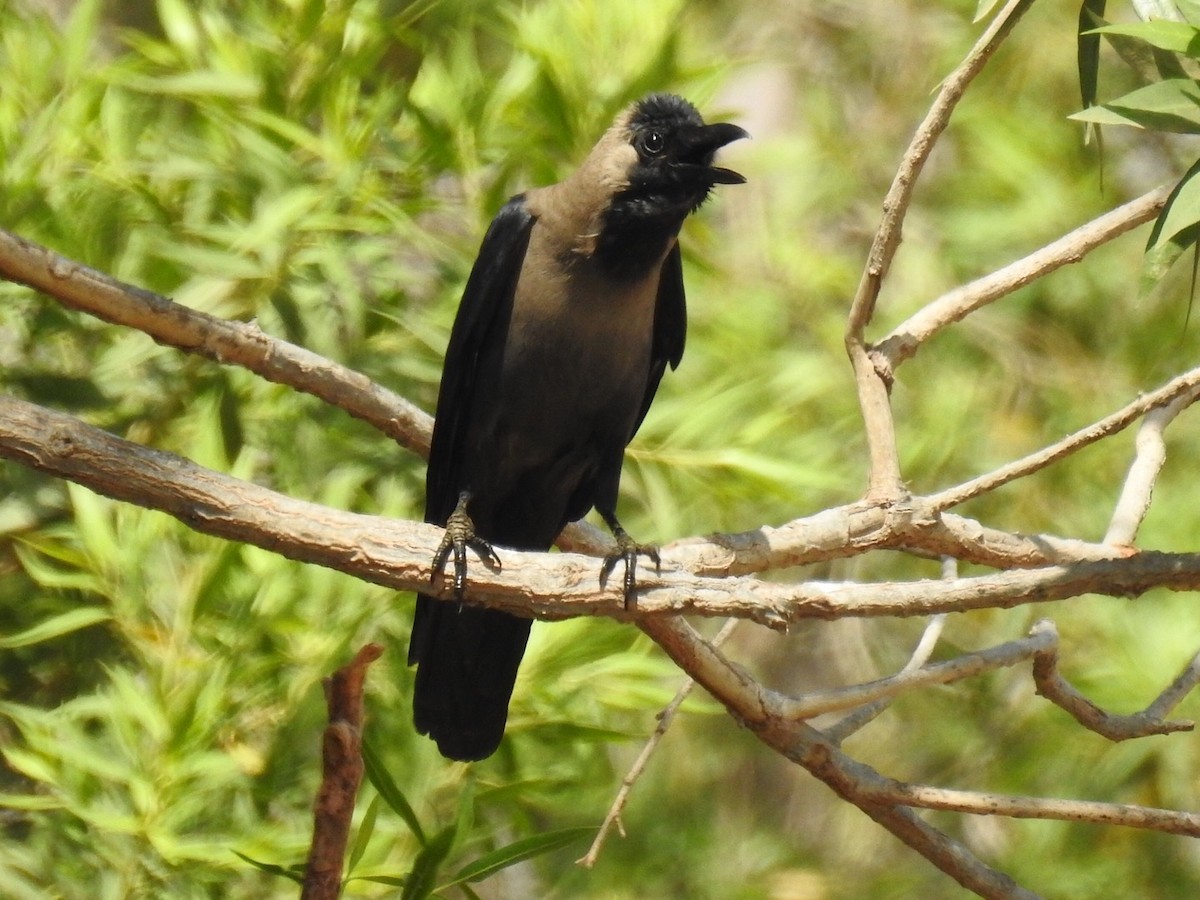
x=483 y=317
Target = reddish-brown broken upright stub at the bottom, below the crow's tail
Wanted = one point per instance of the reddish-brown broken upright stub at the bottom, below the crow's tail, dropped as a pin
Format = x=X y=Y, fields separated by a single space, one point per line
x=341 y=777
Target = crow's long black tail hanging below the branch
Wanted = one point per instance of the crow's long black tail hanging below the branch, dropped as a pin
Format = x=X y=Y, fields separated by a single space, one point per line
x=467 y=663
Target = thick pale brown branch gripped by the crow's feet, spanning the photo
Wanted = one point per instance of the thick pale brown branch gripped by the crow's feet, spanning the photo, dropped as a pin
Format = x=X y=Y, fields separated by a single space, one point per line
x=397 y=554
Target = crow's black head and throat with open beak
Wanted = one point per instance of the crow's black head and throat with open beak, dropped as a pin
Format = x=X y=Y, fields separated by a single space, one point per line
x=671 y=177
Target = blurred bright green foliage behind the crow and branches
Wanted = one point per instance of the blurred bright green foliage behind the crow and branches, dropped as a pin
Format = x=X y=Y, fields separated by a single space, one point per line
x=327 y=170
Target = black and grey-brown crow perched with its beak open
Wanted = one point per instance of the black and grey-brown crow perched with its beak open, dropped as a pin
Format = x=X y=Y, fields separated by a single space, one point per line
x=571 y=316
